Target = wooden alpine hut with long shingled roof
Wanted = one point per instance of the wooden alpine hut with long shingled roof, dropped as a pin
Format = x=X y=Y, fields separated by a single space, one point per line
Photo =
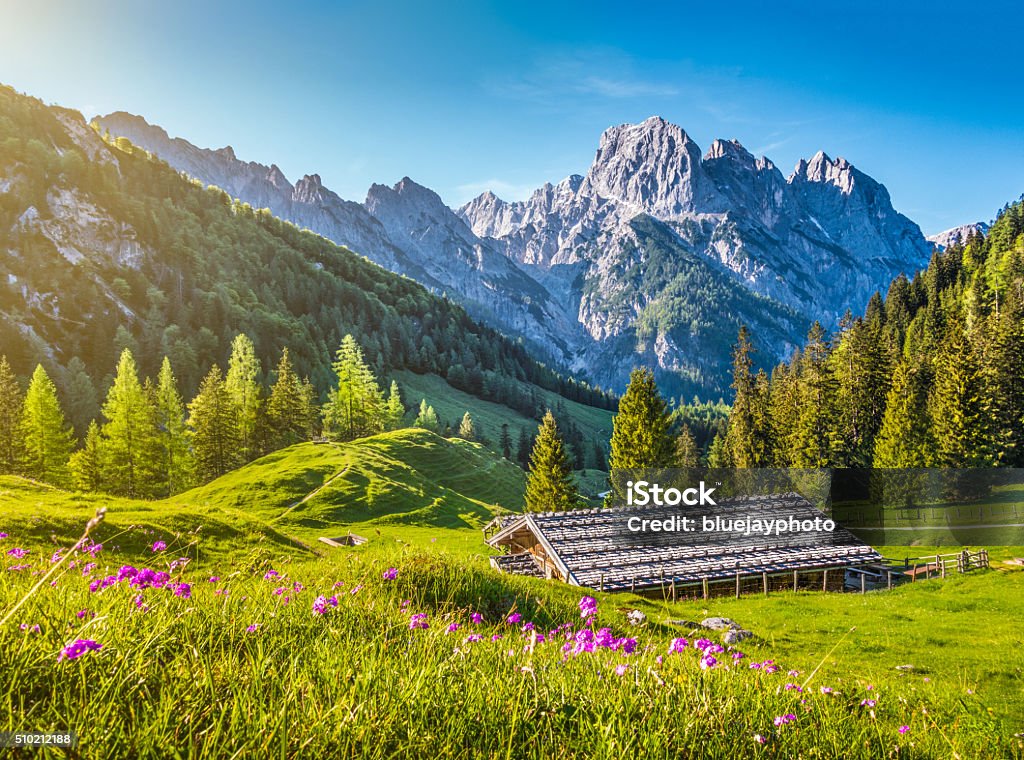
x=592 y=548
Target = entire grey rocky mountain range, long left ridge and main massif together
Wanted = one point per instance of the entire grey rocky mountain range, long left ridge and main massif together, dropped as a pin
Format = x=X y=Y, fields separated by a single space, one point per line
x=566 y=270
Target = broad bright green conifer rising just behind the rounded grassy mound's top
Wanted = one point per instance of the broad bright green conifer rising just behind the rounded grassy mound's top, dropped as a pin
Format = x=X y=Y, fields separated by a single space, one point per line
x=356 y=408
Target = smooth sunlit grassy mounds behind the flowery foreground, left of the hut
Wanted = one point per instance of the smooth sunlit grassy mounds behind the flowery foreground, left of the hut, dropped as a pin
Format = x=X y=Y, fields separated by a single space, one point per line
x=409 y=485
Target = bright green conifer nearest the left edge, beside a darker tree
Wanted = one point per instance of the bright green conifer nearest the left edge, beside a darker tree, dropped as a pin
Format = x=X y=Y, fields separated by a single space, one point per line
x=49 y=439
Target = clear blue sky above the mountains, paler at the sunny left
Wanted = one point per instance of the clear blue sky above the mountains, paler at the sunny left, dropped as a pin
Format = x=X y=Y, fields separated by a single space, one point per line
x=925 y=98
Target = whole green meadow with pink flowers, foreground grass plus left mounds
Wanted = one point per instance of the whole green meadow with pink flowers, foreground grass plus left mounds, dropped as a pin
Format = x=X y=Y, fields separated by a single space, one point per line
x=285 y=647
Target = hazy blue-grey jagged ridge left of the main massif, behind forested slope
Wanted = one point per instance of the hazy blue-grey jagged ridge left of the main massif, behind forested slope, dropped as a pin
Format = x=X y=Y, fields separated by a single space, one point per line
x=405 y=229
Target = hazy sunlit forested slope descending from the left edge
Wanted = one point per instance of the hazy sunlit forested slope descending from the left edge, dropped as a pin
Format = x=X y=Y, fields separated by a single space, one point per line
x=104 y=246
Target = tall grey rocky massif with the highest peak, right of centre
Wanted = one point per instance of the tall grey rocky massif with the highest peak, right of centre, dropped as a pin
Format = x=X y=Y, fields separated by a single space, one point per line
x=806 y=247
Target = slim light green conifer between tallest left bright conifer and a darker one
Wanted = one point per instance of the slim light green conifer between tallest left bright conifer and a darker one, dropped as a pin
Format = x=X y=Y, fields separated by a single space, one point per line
x=172 y=447
